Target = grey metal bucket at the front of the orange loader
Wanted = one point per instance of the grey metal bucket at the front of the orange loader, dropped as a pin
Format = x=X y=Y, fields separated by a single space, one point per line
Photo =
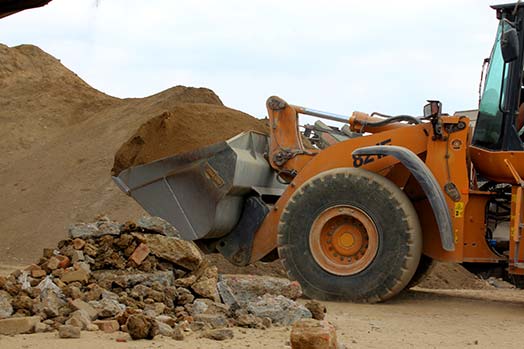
x=201 y=193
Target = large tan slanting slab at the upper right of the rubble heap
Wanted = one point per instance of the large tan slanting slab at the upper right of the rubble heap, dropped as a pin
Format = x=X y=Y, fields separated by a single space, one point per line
x=180 y=252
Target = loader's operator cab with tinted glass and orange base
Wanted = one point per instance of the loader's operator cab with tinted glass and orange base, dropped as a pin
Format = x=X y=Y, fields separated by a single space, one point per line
x=497 y=151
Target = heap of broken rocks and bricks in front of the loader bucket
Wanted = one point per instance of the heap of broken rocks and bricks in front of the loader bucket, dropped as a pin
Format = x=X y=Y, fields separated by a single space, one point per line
x=142 y=279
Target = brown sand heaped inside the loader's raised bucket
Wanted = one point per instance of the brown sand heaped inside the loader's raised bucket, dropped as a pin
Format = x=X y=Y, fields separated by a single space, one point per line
x=184 y=128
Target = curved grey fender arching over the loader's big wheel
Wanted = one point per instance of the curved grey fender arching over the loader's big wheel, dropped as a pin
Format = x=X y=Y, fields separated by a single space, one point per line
x=427 y=181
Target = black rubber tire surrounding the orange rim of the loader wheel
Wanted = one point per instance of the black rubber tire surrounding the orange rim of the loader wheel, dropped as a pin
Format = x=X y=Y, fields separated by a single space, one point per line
x=396 y=221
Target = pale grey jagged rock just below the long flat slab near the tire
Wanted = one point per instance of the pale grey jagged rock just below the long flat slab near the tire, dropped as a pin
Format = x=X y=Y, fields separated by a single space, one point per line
x=281 y=310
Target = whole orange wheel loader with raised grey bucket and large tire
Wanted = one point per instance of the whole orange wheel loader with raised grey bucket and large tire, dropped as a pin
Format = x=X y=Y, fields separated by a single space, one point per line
x=361 y=212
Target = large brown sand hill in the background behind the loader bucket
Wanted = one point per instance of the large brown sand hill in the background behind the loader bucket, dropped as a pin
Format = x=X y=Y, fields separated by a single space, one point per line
x=58 y=140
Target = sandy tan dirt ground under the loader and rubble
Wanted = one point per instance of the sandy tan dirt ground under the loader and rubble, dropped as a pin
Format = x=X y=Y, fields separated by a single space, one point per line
x=418 y=318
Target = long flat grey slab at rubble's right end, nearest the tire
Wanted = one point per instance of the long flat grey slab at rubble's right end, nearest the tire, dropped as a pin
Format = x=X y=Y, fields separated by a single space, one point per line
x=246 y=288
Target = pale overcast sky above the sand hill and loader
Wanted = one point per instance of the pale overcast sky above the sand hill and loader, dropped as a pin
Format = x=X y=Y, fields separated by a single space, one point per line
x=339 y=56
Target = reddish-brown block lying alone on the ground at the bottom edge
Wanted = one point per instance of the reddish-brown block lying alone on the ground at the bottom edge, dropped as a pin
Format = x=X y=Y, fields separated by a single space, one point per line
x=313 y=334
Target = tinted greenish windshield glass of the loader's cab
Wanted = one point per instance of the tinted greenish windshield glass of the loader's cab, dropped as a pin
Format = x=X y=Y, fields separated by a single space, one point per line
x=489 y=123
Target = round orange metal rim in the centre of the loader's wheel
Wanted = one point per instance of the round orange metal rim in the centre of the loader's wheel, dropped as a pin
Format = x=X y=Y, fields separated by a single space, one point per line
x=343 y=240
